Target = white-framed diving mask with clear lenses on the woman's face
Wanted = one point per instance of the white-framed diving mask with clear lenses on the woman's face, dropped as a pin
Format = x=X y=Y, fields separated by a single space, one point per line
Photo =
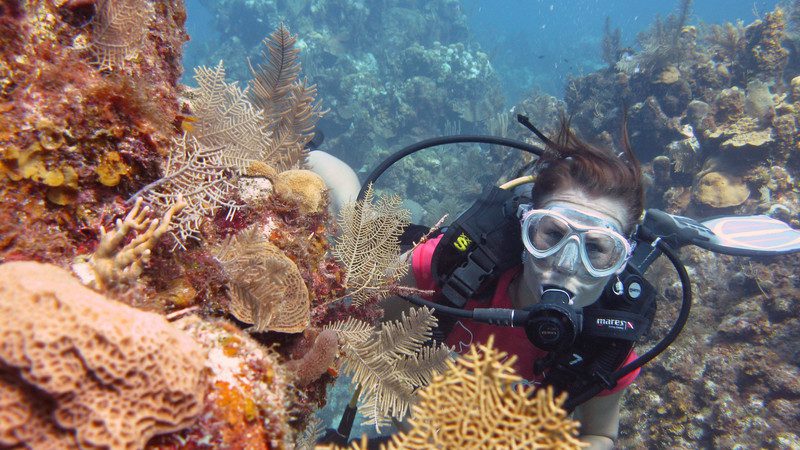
x=601 y=249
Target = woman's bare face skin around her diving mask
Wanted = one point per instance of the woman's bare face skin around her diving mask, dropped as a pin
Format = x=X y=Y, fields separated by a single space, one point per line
x=564 y=269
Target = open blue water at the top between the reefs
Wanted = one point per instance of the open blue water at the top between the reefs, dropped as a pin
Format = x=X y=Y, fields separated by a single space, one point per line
x=537 y=44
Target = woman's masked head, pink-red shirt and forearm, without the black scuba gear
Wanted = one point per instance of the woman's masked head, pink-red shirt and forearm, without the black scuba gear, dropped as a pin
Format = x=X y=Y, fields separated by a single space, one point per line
x=576 y=228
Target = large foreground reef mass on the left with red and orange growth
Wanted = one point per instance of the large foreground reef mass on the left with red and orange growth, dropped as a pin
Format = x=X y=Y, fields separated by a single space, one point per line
x=94 y=119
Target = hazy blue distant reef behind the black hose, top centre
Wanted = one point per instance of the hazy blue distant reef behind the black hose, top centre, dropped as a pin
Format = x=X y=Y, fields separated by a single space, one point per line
x=422 y=78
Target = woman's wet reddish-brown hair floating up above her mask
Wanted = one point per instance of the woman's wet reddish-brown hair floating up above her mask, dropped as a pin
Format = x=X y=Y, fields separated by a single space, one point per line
x=570 y=162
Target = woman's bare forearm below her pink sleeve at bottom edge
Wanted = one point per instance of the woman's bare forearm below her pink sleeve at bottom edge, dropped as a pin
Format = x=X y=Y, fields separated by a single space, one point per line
x=599 y=418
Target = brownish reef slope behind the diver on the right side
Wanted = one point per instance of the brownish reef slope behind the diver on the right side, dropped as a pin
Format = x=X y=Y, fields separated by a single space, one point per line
x=713 y=113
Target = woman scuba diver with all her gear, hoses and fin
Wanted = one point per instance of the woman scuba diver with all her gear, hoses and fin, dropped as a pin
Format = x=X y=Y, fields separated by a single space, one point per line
x=556 y=272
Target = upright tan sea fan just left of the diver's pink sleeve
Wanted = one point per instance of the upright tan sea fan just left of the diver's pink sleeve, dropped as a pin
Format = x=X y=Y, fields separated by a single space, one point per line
x=369 y=245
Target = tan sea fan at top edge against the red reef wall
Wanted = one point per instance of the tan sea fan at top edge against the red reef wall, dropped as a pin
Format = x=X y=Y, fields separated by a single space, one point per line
x=118 y=30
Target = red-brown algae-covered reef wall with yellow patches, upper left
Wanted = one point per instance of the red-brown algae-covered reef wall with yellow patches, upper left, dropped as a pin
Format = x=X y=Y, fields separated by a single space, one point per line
x=62 y=118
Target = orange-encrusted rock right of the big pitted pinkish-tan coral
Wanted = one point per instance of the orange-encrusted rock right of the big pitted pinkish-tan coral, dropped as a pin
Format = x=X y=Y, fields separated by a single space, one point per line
x=248 y=399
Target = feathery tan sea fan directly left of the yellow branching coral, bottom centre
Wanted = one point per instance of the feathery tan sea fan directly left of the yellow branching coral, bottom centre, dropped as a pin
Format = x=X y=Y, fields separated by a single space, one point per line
x=391 y=364
